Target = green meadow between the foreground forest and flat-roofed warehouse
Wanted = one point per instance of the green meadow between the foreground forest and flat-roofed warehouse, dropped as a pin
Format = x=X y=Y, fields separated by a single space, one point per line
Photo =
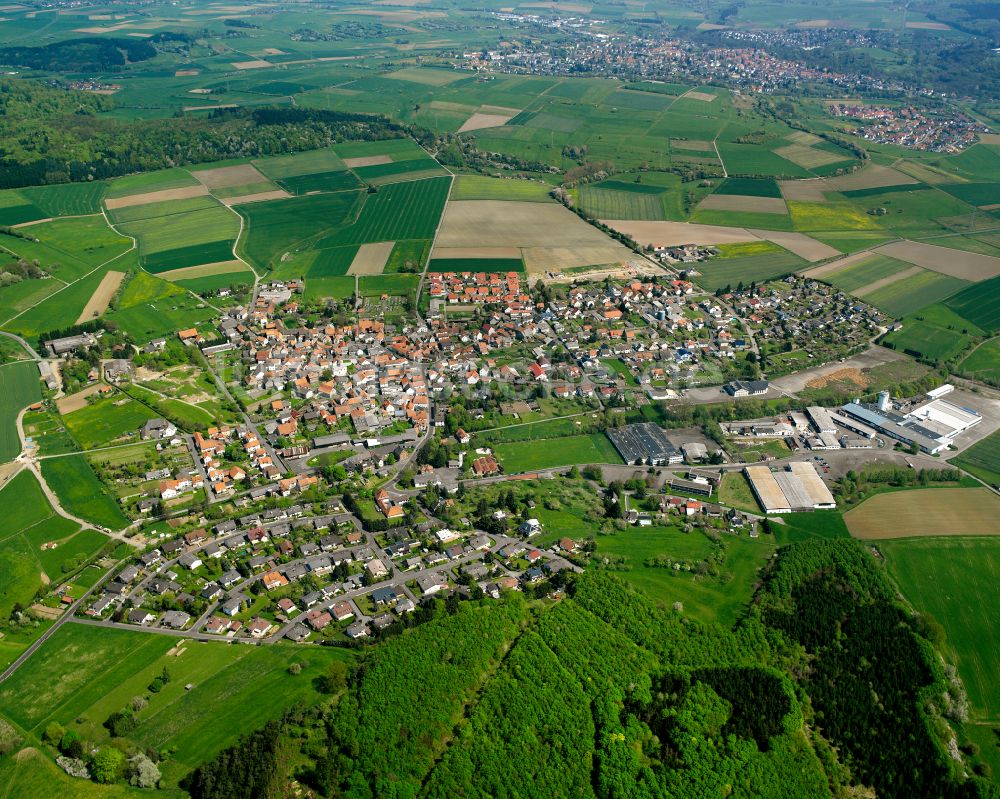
x=707 y=598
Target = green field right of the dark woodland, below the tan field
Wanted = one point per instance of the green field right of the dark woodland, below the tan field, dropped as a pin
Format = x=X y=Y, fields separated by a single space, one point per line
x=957 y=582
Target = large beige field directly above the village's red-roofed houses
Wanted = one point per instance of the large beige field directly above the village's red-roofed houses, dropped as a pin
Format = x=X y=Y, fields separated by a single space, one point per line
x=549 y=236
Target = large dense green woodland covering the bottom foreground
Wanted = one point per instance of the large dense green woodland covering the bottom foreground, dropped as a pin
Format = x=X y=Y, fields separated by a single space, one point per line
x=827 y=688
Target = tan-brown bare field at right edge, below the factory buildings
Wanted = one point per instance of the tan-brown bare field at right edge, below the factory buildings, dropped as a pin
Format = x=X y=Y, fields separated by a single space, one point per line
x=919 y=513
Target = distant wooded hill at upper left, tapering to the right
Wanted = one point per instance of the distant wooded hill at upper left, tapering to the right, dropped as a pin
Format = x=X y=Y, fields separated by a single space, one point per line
x=56 y=136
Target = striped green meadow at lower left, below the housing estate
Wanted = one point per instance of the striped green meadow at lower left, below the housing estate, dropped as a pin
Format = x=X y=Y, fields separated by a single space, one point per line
x=92 y=672
